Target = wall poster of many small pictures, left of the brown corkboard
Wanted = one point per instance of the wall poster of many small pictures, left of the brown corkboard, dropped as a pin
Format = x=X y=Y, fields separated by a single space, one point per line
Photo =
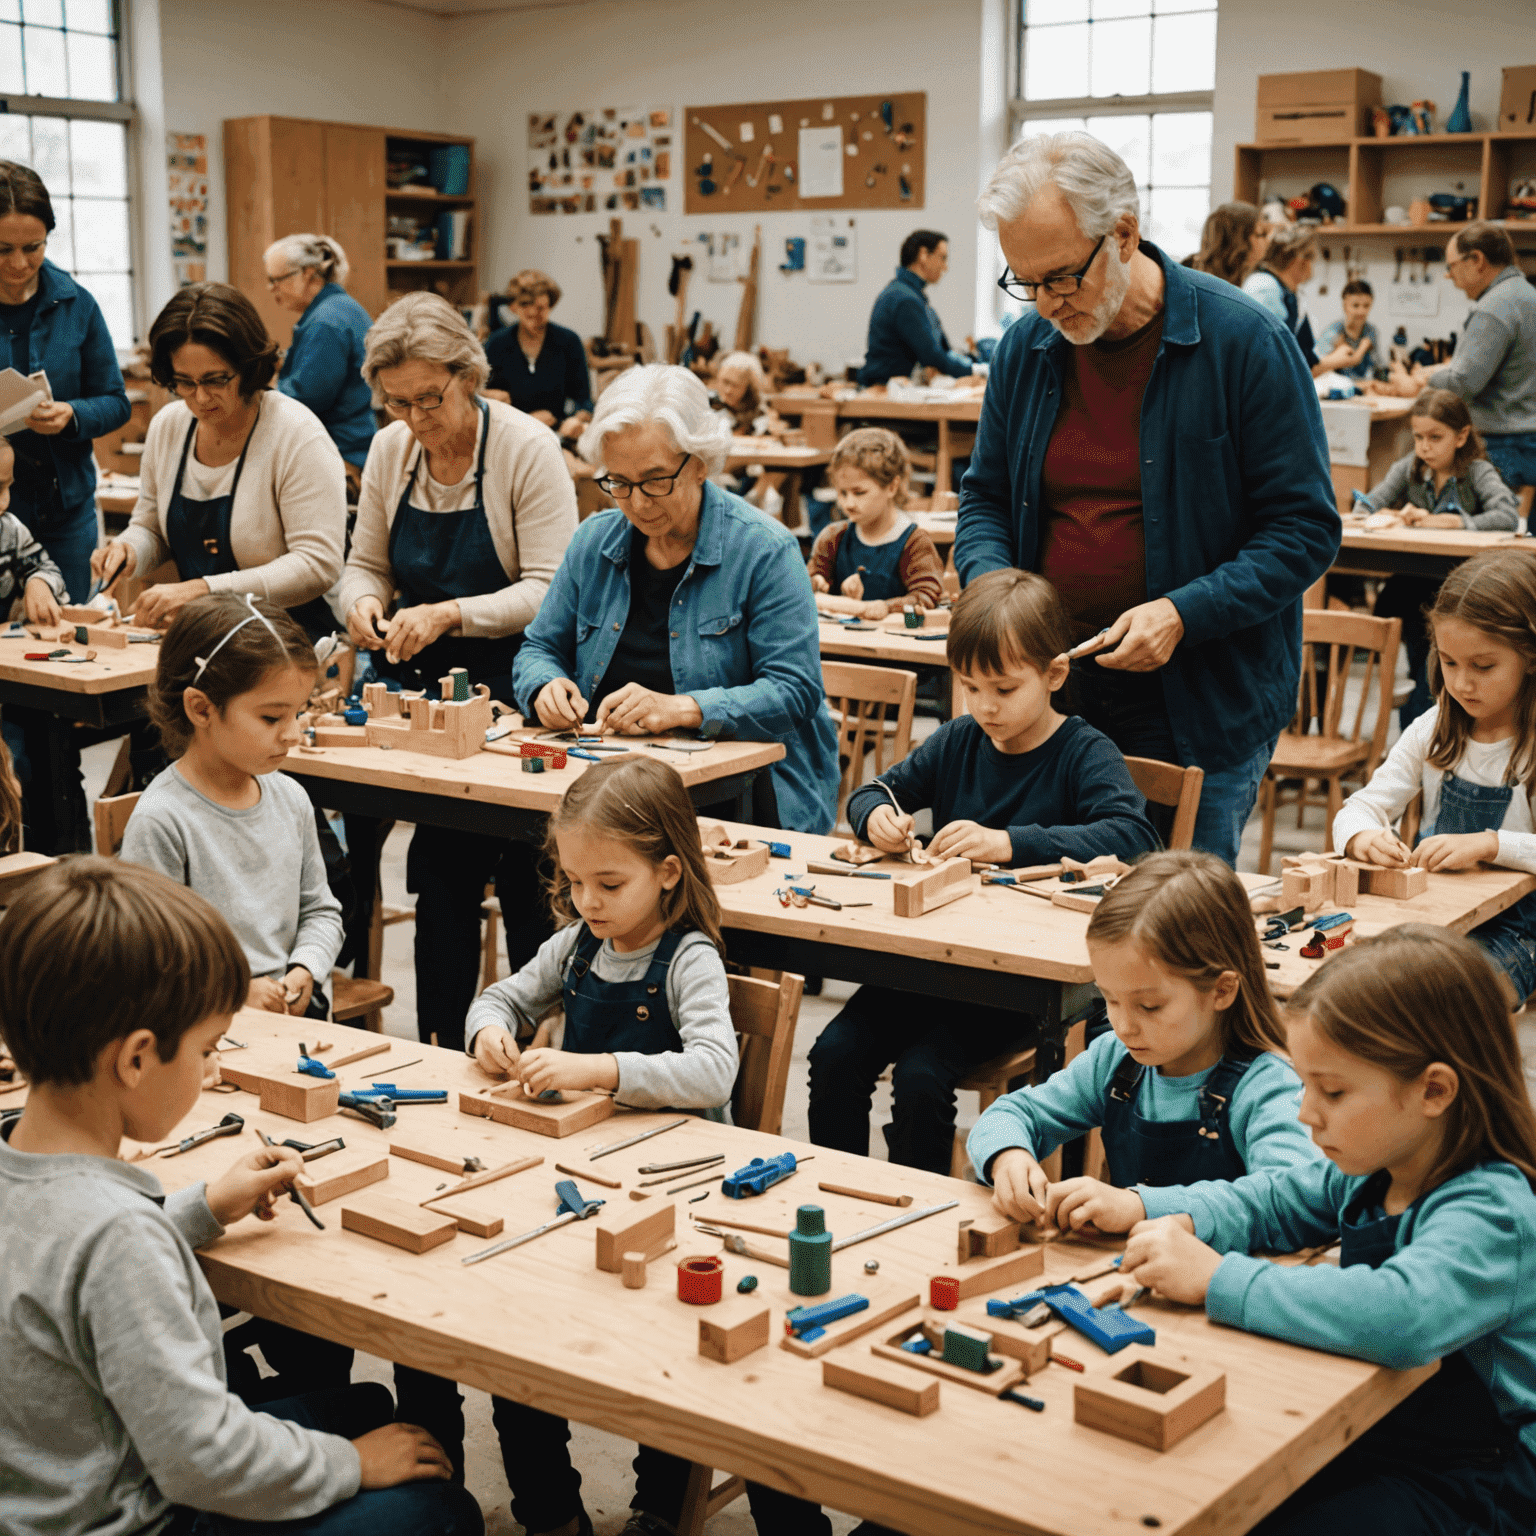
x=600 y=161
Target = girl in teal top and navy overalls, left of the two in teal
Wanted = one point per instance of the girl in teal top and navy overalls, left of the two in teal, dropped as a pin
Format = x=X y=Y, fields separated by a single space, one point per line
x=1187 y=1087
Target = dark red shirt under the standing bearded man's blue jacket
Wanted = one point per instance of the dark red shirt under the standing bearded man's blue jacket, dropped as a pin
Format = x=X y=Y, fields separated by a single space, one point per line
x=1093 y=548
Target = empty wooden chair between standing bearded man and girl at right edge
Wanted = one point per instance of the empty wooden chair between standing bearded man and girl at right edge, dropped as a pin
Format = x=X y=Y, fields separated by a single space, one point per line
x=1336 y=750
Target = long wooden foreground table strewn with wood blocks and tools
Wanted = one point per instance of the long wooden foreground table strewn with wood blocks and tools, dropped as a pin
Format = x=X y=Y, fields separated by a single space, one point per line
x=543 y=1326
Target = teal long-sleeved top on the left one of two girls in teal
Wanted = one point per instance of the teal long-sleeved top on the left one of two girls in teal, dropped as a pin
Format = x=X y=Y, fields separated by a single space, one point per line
x=1262 y=1116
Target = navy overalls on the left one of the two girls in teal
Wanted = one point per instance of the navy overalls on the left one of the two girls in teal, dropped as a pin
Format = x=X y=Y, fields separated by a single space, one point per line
x=1164 y=1153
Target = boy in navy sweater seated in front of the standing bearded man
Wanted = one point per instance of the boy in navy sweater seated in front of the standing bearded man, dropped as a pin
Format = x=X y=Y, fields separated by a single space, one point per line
x=1015 y=783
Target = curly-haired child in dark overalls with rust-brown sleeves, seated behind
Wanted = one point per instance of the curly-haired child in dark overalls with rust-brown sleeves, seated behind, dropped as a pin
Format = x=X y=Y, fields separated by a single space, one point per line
x=878 y=558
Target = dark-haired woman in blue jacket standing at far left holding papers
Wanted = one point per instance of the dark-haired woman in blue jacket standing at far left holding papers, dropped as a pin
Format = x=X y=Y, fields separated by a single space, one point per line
x=51 y=325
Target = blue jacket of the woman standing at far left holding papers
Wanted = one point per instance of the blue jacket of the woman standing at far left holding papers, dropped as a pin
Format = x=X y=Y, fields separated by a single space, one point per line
x=71 y=342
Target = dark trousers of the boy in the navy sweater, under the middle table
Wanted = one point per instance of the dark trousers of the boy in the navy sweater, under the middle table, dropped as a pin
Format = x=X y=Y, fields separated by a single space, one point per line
x=933 y=1048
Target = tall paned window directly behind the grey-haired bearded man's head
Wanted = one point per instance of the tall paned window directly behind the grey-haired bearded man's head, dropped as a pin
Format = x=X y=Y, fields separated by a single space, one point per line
x=1140 y=76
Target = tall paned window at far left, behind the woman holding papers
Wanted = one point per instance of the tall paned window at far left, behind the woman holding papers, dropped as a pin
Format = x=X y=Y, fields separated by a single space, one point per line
x=61 y=78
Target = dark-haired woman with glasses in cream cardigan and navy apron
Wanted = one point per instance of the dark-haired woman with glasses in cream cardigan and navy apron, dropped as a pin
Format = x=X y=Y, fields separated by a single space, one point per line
x=240 y=486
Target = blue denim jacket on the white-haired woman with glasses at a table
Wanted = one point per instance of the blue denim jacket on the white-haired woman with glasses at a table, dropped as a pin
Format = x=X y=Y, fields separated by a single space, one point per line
x=747 y=646
